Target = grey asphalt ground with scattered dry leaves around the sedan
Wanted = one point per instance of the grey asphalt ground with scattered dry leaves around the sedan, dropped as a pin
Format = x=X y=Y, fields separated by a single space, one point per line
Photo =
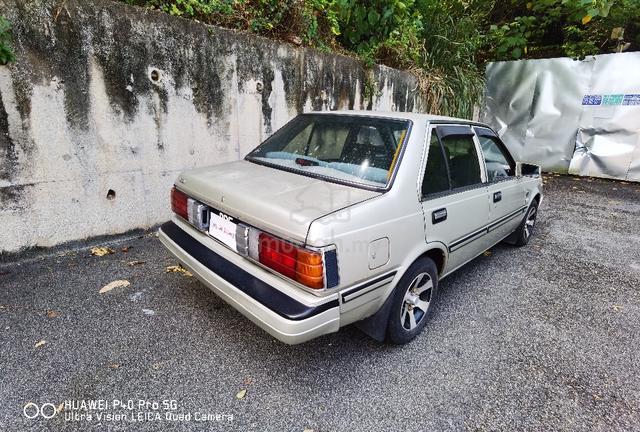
x=543 y=337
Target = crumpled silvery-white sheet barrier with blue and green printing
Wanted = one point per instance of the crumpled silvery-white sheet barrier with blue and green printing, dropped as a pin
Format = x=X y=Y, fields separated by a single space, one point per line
x=581 y=117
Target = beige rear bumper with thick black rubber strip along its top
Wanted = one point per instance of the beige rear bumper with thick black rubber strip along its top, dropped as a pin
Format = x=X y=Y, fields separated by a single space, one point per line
x=285 y=318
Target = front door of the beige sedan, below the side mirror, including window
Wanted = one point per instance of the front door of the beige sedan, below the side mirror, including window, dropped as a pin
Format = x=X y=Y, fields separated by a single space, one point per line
x=506 y=191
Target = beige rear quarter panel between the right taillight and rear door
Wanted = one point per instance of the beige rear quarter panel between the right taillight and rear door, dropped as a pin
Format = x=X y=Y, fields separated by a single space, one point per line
x=395 y=215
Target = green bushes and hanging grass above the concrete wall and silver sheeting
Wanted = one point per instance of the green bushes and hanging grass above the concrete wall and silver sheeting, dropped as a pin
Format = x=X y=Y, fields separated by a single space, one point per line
x=445 y=43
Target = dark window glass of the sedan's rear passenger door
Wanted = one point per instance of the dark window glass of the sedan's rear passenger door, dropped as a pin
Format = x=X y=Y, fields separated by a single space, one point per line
x=452 y=163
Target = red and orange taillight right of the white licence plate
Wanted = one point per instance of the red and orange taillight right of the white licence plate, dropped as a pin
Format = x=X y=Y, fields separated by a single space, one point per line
x=302 y=265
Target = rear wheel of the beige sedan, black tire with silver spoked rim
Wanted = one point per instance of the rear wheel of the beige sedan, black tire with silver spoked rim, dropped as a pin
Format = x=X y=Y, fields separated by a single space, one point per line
x=413 y=301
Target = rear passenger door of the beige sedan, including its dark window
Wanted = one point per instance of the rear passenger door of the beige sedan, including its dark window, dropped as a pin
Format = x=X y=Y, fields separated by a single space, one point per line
x=455 y=199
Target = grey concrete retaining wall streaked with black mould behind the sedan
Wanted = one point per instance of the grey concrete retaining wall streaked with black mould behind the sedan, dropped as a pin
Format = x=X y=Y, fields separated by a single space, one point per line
x=107 y=103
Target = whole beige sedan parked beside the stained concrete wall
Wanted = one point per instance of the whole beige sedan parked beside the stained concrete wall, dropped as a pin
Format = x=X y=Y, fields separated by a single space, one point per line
x=345 y=217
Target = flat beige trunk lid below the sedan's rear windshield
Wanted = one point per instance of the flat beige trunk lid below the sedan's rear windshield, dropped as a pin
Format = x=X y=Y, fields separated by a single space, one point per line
x=273 y=200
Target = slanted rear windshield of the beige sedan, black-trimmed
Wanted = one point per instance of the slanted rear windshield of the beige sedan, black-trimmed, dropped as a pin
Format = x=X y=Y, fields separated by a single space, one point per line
x=350 y=149
